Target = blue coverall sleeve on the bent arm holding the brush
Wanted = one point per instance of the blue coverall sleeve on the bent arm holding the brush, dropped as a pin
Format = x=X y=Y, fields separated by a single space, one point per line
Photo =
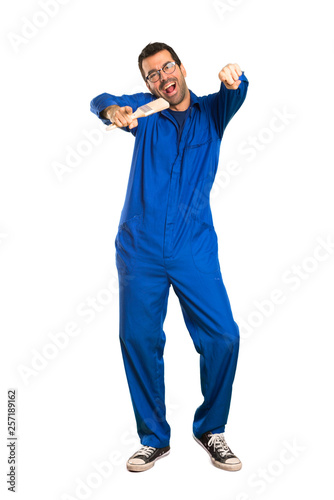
x=102 y=101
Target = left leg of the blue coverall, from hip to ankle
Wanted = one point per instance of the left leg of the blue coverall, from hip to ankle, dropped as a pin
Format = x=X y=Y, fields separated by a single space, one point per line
x=143 y=296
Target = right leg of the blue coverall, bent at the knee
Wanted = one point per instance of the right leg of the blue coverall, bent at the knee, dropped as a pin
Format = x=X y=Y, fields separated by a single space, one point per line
x=207 y=313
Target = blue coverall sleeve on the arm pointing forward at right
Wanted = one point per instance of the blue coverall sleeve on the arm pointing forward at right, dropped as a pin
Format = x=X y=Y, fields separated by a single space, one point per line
x=223 y=105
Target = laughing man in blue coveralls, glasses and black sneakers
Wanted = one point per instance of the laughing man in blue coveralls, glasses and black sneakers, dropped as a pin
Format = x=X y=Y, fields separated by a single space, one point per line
x=166 y=237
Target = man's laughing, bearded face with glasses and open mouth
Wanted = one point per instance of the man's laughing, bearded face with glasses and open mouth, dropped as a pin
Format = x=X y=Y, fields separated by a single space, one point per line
x=174 y=93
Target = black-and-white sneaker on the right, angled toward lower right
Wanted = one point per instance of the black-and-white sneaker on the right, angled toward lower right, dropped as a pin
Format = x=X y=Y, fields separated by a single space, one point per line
x=221 y=455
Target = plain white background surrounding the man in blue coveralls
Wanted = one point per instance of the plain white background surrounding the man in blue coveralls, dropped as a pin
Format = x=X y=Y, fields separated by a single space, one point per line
x=57 y=248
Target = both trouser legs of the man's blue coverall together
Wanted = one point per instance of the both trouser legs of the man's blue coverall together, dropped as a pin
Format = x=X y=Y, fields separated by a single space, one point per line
x=144 y=290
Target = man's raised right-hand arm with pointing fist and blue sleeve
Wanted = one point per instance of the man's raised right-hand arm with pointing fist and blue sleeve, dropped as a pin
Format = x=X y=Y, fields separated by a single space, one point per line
x=224 y=104
